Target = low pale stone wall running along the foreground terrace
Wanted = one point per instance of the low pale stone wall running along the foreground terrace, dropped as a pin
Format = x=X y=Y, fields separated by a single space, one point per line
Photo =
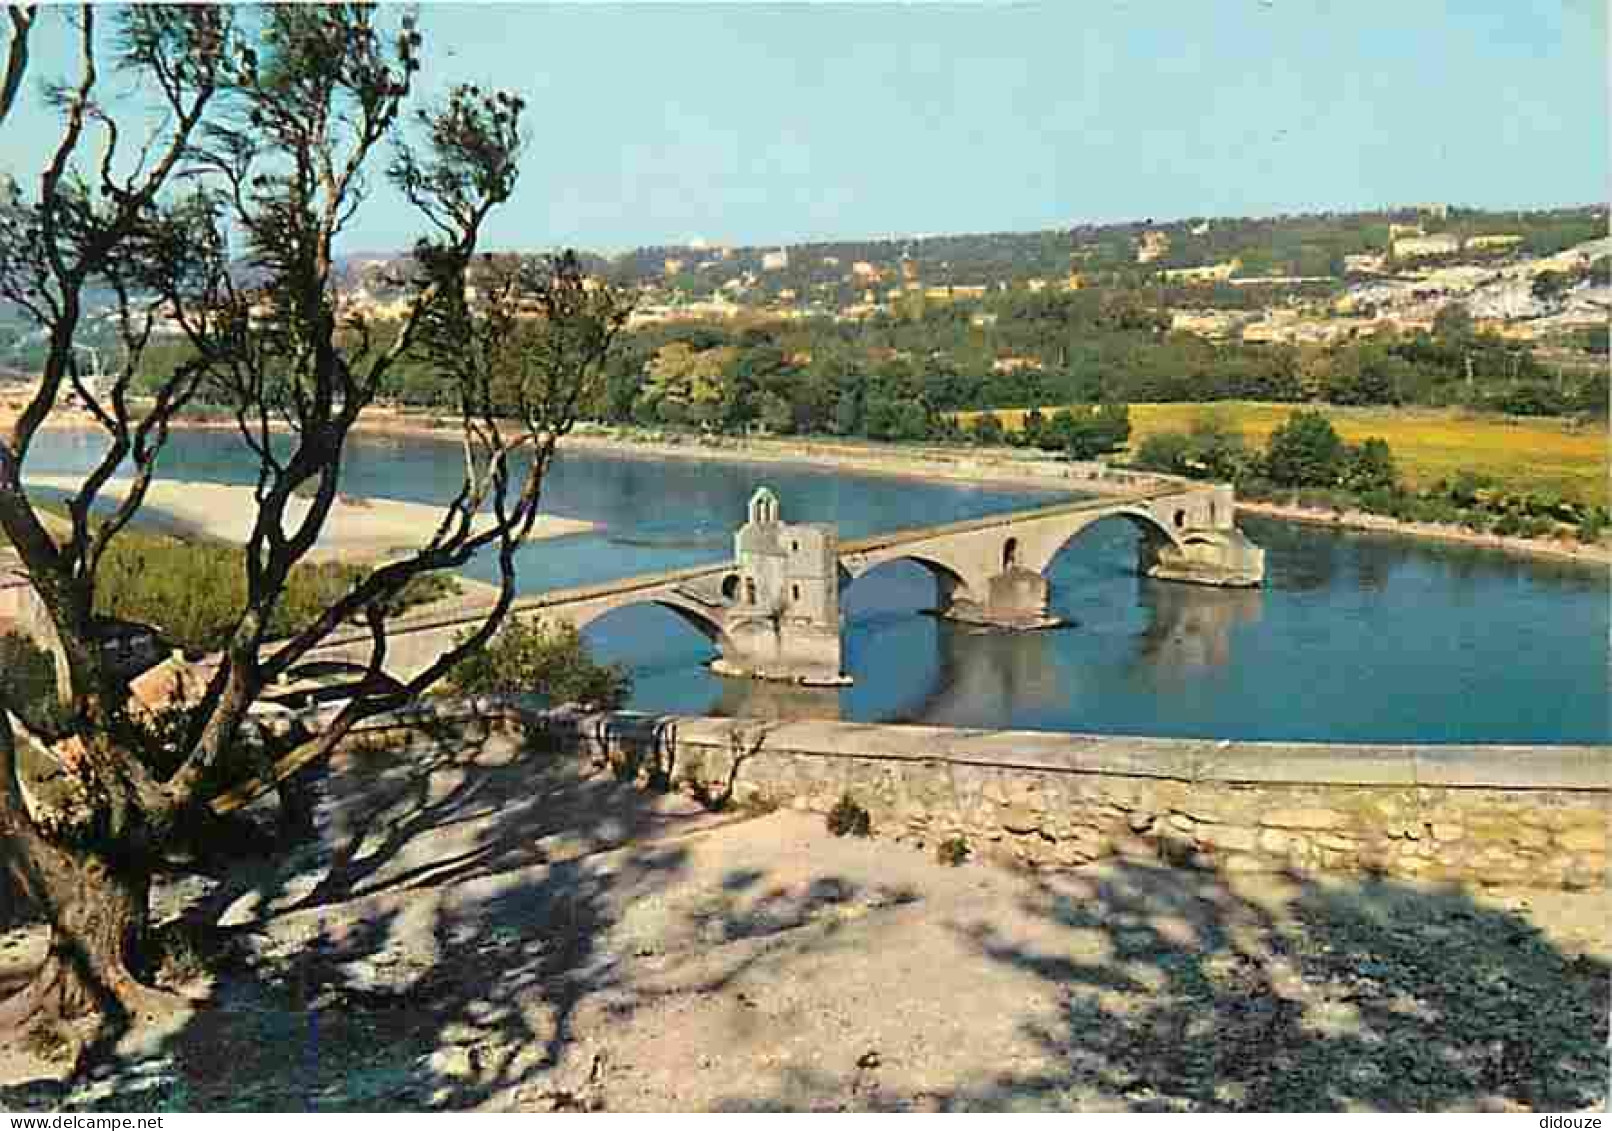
x=1466 y=814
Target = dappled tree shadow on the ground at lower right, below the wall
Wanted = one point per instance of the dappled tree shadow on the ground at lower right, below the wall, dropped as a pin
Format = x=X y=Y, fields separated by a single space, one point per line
x=1176 y=993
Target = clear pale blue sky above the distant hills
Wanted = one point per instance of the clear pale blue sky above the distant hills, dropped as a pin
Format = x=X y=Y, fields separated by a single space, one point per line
x=763 y=123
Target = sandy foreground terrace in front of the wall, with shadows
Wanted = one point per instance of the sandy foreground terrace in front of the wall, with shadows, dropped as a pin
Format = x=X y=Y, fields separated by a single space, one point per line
x=488 y=927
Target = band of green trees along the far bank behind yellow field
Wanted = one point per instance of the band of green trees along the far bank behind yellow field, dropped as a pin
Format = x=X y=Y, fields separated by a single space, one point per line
x=899 y=379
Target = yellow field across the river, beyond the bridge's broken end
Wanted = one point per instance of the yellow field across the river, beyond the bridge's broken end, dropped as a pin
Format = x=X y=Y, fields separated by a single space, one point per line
x=1532 y=455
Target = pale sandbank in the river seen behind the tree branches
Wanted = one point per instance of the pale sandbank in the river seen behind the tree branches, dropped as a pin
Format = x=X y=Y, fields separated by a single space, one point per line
x=355 y=529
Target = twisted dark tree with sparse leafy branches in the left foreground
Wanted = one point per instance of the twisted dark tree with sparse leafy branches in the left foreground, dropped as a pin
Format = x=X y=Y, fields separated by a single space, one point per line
x=230 y=225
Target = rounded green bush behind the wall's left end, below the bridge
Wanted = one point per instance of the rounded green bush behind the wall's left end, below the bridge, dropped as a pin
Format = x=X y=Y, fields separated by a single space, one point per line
x=533 y=658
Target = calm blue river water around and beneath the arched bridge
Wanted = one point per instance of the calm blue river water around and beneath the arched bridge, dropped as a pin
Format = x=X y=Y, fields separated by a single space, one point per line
x=1353 y=639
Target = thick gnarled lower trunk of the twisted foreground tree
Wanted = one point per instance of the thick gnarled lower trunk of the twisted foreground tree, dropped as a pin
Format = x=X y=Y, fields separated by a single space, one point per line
x=99 y=911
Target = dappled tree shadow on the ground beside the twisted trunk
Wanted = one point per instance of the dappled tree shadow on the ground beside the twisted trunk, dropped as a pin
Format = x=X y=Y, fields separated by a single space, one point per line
x=428 y=951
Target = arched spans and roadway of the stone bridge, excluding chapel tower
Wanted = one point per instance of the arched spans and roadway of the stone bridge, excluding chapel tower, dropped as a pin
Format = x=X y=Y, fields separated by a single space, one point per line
x=1189 y=536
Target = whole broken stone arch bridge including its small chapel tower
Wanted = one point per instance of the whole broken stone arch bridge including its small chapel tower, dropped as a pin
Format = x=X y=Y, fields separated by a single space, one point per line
x=775 y=610
